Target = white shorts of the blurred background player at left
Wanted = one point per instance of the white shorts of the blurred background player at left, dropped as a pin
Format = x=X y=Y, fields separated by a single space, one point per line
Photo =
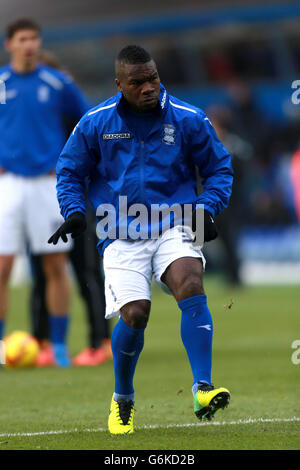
x=29 y=215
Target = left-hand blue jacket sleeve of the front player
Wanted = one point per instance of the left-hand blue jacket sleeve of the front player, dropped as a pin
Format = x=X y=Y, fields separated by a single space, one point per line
x=75 y=164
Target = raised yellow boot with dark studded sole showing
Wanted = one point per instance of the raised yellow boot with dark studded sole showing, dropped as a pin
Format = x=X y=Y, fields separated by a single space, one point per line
x=207 y=400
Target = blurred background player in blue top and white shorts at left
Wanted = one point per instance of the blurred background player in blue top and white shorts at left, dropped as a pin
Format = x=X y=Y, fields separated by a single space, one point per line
x=32 y=135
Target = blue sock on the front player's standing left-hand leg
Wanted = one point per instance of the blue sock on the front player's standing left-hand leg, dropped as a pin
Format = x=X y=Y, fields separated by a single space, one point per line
x=126 y=344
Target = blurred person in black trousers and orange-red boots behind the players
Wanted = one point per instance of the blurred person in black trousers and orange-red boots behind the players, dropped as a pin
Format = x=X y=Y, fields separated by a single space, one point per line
x=89 y=274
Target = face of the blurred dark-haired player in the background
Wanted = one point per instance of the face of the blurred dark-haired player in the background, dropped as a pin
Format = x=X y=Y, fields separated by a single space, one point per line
x=24 y=46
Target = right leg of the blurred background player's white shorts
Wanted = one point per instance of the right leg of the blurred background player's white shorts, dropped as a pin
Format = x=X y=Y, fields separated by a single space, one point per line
x=42 y=216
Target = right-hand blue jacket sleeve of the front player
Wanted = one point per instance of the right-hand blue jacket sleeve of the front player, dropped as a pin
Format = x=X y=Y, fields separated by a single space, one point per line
x=214 y=164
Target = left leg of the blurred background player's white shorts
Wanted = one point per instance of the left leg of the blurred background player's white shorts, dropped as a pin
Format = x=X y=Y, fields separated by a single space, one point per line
x=11 y=214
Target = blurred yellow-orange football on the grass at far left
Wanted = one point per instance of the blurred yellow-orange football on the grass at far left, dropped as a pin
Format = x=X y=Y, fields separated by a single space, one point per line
x=20 y=350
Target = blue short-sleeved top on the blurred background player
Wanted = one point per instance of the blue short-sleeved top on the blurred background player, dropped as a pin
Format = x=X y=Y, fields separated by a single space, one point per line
x=32 y=129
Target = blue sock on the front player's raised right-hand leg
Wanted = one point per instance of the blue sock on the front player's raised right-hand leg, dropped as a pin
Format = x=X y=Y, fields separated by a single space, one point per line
x=197 y=335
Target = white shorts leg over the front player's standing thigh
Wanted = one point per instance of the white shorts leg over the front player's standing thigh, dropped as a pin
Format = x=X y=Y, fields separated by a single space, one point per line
x=128 y=273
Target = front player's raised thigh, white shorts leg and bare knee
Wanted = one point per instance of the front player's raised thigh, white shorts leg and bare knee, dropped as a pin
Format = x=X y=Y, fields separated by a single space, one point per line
x=178 y=263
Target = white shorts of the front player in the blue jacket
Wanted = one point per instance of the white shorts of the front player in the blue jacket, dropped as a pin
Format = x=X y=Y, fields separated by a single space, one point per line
x=130 y=265
